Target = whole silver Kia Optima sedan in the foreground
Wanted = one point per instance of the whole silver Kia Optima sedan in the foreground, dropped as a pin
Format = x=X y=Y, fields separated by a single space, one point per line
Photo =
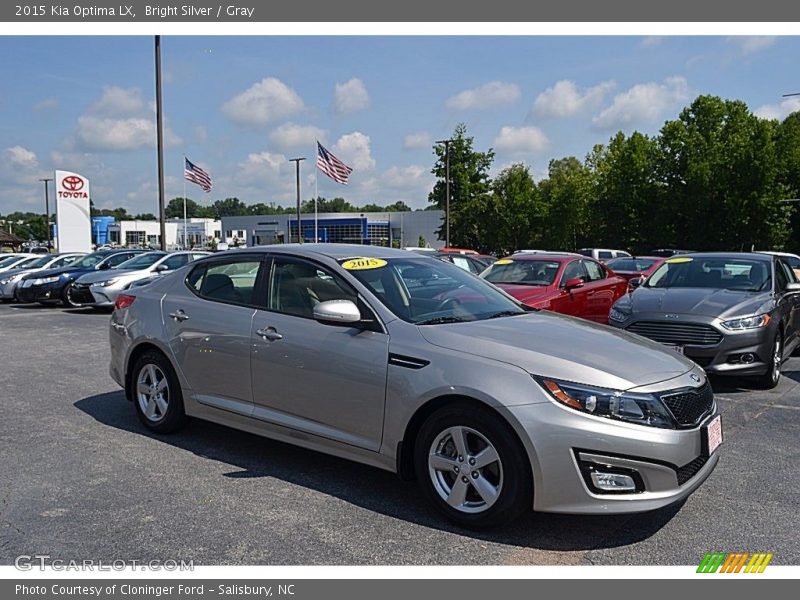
x=416 y=366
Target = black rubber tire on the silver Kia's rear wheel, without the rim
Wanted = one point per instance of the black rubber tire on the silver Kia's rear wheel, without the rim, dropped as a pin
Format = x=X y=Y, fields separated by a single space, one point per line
x=173 y=418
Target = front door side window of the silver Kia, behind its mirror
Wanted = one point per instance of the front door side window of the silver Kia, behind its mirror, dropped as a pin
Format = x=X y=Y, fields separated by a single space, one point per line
x=297 y=286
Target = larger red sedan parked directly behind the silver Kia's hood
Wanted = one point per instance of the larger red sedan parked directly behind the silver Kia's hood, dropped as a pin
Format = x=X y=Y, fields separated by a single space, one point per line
x=565 y=283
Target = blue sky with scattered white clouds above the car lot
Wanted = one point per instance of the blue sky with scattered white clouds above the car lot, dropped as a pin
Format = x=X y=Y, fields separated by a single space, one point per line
x=241 y=107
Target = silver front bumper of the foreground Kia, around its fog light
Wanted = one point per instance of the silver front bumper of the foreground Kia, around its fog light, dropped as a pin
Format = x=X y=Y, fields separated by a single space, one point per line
x=668 y=464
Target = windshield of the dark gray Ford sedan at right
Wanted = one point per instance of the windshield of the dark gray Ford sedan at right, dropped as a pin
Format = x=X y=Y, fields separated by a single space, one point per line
x=714 y=273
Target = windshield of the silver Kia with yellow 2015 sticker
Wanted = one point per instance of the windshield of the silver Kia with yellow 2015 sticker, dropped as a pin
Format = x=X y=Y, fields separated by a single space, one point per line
x=427 y=292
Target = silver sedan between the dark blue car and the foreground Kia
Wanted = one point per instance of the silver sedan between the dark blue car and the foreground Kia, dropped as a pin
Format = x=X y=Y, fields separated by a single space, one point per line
x=101 y=289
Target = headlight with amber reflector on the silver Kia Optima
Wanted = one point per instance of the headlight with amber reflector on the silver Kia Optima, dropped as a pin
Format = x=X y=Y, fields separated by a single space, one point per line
x=642 y=409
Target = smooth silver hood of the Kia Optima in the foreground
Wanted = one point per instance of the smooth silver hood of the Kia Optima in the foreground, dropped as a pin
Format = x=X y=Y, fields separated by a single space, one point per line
x=553 y=345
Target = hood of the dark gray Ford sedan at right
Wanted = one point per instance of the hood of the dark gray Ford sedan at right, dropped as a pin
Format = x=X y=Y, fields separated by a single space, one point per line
x=697 y=301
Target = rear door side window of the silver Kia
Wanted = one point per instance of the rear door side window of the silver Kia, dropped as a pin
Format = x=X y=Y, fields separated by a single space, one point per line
x=229 y=281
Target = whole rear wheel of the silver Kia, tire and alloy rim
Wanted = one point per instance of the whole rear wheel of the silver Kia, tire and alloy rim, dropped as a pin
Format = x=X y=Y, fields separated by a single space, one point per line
x=157 y=394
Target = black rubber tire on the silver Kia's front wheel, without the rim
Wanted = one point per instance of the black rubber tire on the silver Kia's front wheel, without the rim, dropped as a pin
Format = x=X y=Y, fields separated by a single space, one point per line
x=515 y=483
